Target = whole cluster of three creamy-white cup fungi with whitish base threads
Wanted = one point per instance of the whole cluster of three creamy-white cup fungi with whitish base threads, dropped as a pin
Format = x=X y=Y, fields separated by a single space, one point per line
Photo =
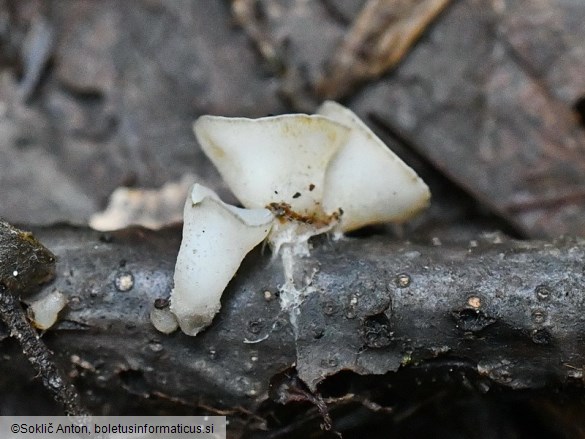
x=300 y=175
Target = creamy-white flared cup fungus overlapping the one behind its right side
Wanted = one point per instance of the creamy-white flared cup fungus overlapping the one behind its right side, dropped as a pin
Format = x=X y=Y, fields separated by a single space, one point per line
x=277 y=159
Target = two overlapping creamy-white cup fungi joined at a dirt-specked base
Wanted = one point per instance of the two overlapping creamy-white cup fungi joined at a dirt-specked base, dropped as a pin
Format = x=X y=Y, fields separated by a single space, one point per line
x=328 y=169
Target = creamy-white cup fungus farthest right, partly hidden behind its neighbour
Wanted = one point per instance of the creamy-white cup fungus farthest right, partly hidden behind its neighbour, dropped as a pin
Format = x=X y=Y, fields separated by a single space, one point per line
x=367 y=180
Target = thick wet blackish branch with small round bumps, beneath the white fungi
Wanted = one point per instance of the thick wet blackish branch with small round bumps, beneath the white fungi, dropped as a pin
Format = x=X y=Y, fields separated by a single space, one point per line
x=510 y=311
